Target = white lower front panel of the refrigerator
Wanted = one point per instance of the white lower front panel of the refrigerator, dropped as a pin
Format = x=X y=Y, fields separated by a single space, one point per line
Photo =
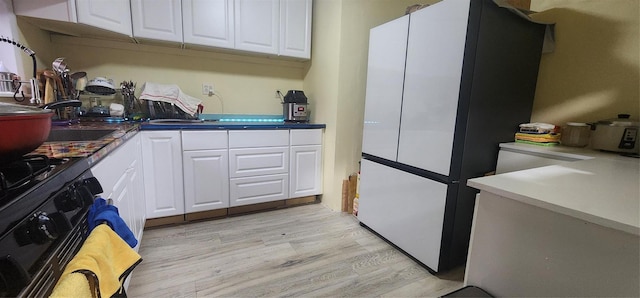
x=406 y=209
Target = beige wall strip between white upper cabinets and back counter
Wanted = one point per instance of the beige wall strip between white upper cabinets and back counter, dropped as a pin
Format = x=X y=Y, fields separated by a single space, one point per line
x=244 y=84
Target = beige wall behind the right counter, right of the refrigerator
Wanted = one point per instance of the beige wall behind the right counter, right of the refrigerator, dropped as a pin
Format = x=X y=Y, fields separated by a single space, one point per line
x=593 y=73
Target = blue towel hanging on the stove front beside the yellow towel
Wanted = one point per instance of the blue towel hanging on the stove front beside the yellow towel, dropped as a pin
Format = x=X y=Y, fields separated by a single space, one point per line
x=101 y=212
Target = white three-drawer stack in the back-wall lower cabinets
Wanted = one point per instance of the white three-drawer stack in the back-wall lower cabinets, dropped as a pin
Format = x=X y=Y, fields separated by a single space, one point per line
x=258 y=166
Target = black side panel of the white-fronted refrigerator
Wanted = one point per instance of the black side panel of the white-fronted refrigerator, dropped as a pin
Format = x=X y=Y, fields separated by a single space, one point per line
x=502 y=57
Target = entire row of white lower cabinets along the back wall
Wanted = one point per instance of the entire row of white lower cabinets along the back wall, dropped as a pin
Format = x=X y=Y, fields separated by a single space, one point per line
x=201 y=170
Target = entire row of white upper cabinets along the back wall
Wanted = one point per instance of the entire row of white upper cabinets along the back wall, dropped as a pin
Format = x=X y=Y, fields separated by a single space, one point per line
x=272 y=27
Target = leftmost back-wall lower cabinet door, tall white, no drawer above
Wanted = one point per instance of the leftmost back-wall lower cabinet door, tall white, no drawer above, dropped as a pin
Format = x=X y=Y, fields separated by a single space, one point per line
x=162 y=159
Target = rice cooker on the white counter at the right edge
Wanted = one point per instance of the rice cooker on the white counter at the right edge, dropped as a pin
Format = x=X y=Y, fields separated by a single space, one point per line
x=616 y=135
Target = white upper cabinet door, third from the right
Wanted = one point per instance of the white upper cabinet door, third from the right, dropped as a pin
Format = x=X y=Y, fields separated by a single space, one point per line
x=208 y=22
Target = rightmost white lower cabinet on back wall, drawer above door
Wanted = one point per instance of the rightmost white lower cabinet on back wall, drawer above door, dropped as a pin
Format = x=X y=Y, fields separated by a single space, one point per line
x=305 y=169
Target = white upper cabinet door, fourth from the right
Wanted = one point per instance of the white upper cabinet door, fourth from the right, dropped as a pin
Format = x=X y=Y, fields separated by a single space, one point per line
x=157 y=19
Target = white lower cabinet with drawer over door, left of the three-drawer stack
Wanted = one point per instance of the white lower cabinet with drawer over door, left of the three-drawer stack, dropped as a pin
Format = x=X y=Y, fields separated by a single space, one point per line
x=205 y=160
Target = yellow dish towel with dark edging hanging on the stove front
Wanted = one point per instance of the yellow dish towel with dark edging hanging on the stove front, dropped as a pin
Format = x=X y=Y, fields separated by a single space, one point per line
x=105 y=259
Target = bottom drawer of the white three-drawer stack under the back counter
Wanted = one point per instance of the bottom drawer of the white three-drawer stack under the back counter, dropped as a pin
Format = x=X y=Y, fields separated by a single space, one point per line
x=259 y=189
